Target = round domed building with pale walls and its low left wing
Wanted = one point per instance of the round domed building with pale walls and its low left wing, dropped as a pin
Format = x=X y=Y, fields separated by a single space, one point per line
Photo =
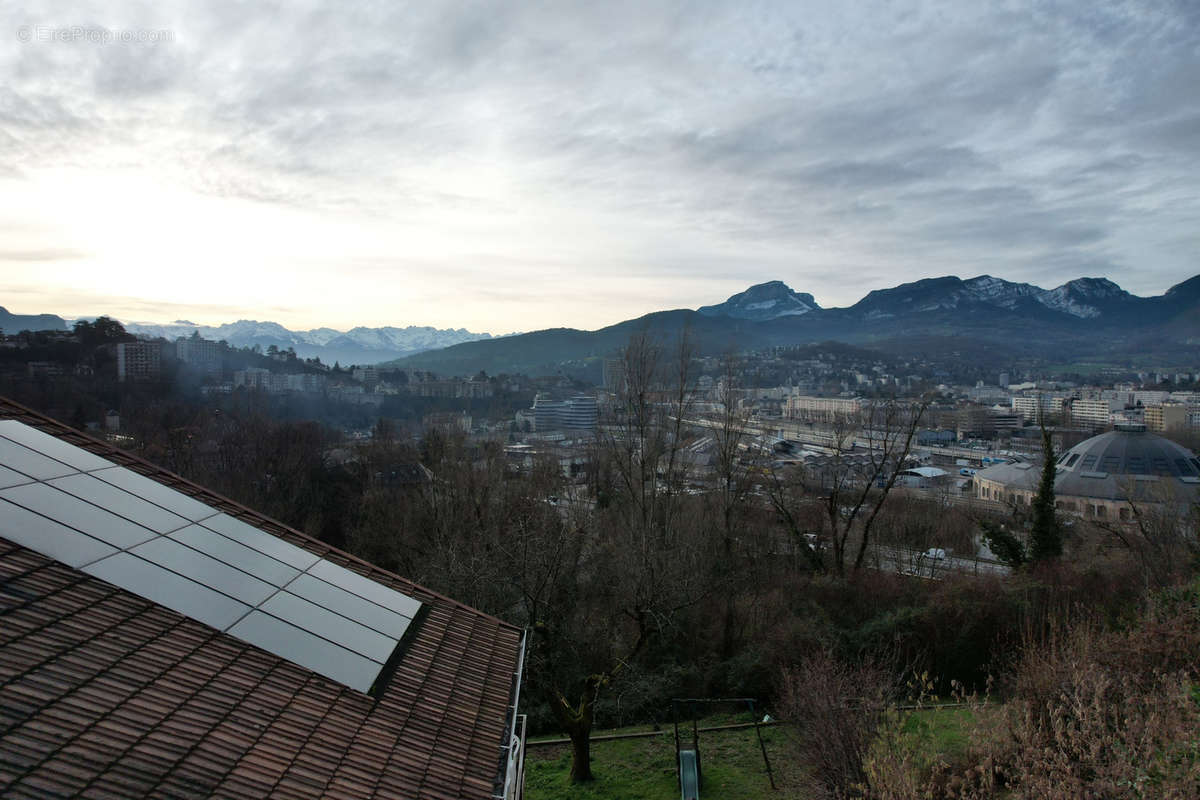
x=1097 y=478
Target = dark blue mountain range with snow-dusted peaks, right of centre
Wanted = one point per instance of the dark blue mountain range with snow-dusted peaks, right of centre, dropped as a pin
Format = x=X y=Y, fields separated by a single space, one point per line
x=1087 y=318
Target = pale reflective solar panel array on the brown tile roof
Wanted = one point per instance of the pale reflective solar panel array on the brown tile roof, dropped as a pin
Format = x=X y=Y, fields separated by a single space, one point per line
x=143 y=537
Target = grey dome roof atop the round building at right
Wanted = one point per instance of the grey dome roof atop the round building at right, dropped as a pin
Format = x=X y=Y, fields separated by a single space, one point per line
x=1127 y=464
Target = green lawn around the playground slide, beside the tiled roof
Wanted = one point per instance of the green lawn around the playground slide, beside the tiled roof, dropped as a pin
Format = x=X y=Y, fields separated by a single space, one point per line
x=644 y=769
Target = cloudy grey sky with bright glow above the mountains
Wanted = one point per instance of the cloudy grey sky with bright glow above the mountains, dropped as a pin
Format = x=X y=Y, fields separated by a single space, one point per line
x=517 y=166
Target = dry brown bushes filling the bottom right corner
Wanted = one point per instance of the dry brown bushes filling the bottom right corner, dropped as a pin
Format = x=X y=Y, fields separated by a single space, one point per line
x=1095 y=713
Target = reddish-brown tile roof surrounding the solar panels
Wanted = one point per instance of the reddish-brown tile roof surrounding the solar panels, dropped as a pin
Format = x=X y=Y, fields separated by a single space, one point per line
x=107 y=695
